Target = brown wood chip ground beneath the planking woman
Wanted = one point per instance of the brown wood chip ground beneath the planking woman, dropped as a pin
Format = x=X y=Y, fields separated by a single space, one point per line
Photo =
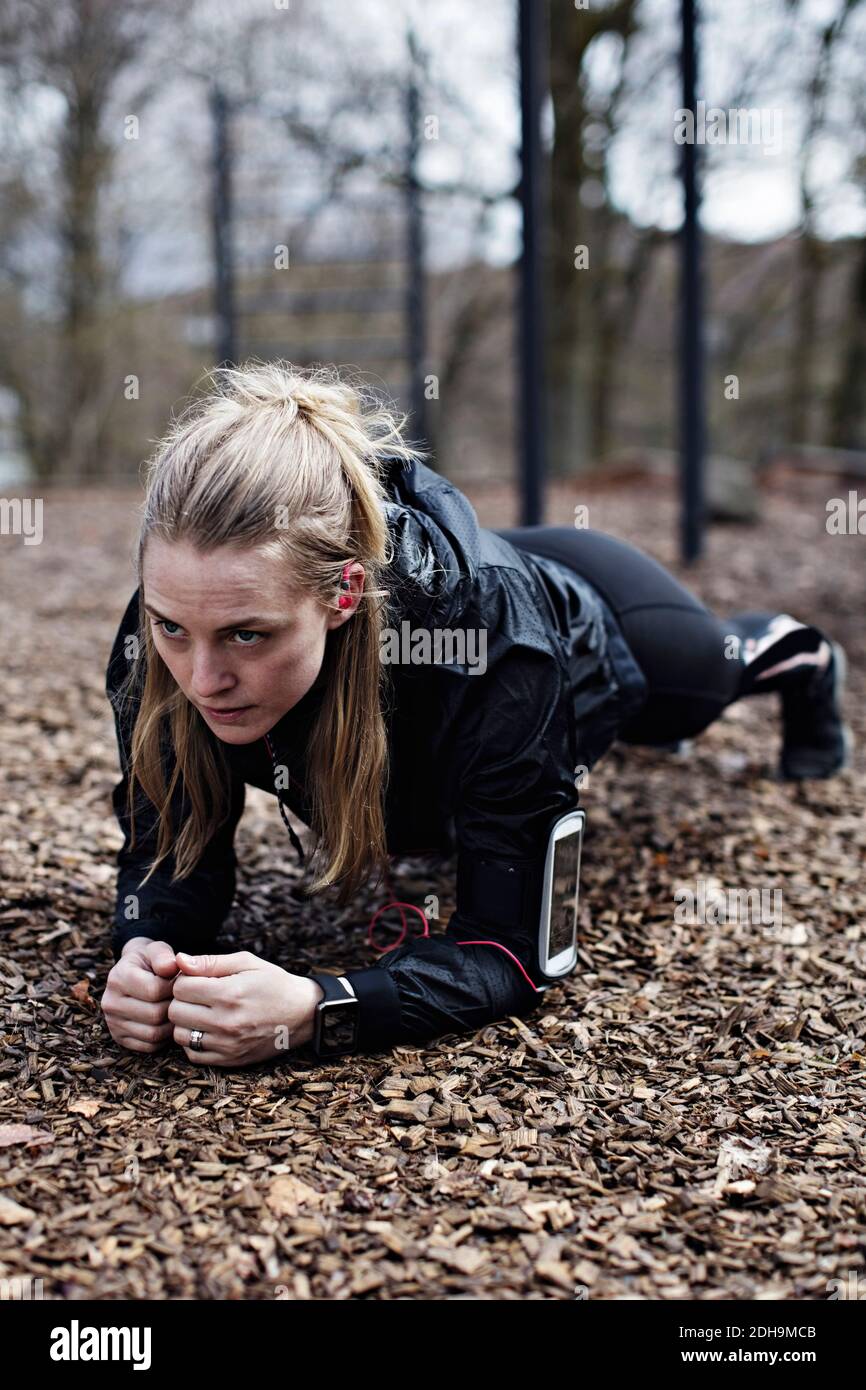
x=682 y=1120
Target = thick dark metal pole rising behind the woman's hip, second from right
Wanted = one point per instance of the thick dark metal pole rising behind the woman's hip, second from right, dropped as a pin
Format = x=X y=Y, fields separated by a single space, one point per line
x=532 y=332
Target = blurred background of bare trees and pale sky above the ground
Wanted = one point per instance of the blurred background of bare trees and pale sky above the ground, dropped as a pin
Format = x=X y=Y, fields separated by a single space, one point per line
x=186 y=184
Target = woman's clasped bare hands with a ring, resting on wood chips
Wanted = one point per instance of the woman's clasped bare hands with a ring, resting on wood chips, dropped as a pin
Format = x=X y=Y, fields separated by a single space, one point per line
x=247 y=1010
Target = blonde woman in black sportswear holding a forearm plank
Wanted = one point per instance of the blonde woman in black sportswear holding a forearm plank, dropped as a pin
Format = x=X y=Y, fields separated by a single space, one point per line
x=298 y=564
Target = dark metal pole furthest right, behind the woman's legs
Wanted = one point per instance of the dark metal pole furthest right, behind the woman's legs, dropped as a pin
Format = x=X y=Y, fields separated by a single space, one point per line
x=692 y=322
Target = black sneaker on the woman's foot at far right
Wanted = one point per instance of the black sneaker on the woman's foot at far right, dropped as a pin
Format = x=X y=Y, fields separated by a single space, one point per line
x=817 y=742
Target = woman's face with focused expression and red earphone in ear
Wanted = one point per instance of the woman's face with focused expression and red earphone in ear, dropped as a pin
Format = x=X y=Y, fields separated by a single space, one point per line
x=233 y=637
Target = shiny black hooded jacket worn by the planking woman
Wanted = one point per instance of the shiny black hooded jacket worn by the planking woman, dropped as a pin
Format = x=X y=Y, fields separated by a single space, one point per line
x=480 y=764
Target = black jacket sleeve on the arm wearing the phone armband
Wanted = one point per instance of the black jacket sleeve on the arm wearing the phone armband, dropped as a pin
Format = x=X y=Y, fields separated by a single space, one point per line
x=516 y=780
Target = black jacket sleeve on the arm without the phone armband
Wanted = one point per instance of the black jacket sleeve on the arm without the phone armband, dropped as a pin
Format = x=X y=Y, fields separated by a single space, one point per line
x=190 y=913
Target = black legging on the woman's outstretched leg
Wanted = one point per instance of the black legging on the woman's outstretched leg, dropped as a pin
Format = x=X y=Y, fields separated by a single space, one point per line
x=682 y=647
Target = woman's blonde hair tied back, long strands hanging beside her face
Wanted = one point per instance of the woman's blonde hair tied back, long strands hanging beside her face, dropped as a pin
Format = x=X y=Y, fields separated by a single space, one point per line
x=308 y=445
